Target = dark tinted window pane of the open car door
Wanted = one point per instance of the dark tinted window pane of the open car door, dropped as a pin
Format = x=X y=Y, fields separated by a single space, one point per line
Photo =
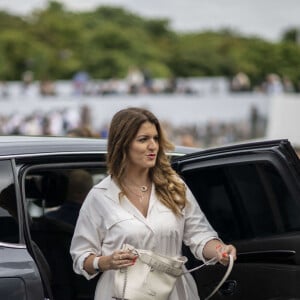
x=245 y=200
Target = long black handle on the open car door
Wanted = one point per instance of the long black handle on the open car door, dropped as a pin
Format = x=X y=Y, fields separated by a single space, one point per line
x=267 y=255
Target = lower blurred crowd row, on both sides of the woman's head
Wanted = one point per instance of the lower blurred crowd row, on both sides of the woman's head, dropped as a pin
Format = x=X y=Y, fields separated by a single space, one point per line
x=77 y=122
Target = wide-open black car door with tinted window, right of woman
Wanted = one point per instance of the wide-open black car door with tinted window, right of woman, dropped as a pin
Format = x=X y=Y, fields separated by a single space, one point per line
x=250 y=194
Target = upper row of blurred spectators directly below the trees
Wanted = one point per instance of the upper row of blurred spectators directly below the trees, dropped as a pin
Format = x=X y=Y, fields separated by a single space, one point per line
x=139 y=81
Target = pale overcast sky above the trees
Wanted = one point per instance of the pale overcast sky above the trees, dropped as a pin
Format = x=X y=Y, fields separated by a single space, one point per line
x=267 y=19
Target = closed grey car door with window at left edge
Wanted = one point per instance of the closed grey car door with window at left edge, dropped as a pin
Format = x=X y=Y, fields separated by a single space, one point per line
x=19 y=276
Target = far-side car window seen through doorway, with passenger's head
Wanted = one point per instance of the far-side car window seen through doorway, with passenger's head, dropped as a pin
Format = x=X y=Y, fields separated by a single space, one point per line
x=48 y=190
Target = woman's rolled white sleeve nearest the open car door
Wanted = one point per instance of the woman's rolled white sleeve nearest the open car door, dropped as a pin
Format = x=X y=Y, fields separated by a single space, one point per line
x=197 y=230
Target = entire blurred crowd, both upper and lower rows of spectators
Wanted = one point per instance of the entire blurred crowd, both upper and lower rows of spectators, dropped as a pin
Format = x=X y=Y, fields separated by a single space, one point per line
x=77 y=122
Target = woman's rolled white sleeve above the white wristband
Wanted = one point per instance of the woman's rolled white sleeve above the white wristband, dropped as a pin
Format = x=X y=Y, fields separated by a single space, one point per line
x=86 y=238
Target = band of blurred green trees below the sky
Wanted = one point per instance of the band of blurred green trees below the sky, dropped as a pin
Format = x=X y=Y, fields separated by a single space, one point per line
x=106 y=42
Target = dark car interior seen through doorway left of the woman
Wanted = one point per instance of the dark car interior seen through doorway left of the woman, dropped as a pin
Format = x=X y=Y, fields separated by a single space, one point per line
x=48 y=192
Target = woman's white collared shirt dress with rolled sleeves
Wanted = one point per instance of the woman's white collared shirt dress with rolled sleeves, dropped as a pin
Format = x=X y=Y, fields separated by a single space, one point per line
x=105 y=224
